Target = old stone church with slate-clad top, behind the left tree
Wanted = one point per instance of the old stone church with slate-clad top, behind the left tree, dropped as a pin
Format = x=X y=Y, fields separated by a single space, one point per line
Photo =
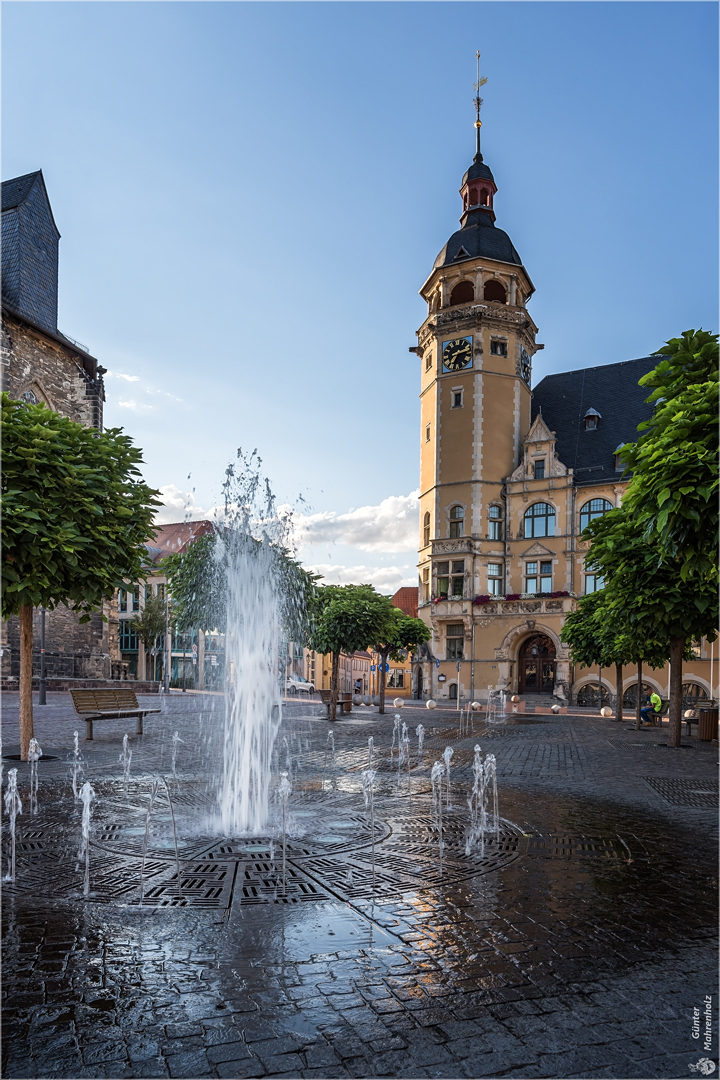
x=43 y=366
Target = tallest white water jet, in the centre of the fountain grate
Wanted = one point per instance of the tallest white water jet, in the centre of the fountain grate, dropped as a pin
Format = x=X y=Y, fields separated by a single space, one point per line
x=264 y=597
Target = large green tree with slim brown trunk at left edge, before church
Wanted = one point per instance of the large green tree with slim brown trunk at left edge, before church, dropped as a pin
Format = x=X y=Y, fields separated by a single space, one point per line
x=76 y=517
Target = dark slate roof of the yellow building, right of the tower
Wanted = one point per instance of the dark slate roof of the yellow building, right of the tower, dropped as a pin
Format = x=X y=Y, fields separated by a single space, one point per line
x=612 y=390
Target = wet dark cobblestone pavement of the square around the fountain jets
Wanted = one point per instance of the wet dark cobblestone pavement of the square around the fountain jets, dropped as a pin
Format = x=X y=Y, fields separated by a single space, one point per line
x=578 y=946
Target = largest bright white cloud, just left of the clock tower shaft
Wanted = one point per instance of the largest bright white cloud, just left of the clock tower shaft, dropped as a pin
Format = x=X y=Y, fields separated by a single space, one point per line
x=392 y=525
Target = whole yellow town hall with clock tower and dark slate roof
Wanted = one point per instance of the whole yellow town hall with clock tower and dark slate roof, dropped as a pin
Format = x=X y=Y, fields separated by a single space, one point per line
x=510 y=476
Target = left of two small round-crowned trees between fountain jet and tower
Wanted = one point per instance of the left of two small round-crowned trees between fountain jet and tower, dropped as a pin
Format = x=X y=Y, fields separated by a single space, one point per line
x=347 y=619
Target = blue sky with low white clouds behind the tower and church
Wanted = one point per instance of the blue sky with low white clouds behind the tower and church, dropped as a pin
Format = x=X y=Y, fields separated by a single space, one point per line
x=251 y=195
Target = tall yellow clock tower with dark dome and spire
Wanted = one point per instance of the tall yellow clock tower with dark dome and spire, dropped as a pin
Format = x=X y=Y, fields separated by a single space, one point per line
x=476 y=350
